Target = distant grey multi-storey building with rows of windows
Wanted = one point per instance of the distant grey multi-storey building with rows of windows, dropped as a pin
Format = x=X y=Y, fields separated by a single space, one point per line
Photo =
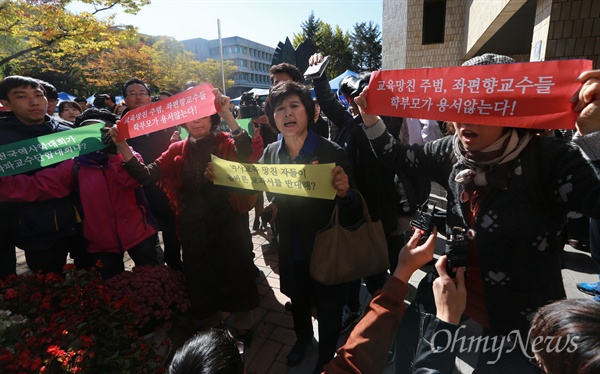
x=252 y=59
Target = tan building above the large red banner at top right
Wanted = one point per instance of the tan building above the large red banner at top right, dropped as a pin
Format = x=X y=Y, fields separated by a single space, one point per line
x=418 y=33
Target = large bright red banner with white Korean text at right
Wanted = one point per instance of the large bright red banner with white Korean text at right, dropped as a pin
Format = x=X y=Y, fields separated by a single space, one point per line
x=528 y=94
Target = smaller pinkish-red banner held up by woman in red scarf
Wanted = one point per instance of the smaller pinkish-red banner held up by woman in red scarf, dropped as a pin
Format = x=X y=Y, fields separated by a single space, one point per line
x=186 y=106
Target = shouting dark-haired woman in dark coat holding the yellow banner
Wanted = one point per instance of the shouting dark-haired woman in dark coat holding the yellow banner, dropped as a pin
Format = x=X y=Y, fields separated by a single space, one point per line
x=290 y=107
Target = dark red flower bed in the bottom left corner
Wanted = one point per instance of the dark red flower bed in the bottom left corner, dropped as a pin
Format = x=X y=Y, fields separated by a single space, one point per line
x=74 y=325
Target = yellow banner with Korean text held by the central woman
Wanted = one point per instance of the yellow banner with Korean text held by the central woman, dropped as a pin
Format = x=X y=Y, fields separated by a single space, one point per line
x=297 y=179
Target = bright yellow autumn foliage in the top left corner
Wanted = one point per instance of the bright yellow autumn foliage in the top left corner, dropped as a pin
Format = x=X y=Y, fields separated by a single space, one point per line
x=28 y=26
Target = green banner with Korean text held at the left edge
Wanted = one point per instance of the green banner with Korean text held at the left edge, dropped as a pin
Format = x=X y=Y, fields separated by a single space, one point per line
x=34 y=153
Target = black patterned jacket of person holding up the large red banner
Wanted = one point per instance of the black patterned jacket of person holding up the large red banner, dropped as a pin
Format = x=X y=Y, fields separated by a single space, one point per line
x=515 y=238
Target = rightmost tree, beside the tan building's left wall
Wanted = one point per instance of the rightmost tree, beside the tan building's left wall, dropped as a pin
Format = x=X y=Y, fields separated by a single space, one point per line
x=366 y=47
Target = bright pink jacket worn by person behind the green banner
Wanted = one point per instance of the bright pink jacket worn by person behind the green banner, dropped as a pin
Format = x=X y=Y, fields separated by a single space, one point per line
x=113 y=222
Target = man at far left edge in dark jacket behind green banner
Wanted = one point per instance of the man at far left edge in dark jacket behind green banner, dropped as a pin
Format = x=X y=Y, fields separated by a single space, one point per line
x=47 y=230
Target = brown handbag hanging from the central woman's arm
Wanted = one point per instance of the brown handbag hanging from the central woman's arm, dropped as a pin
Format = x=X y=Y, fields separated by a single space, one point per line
x=341 y=254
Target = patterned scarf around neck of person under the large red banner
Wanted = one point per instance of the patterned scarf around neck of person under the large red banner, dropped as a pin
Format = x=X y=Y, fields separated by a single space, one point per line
x=485 y=167
